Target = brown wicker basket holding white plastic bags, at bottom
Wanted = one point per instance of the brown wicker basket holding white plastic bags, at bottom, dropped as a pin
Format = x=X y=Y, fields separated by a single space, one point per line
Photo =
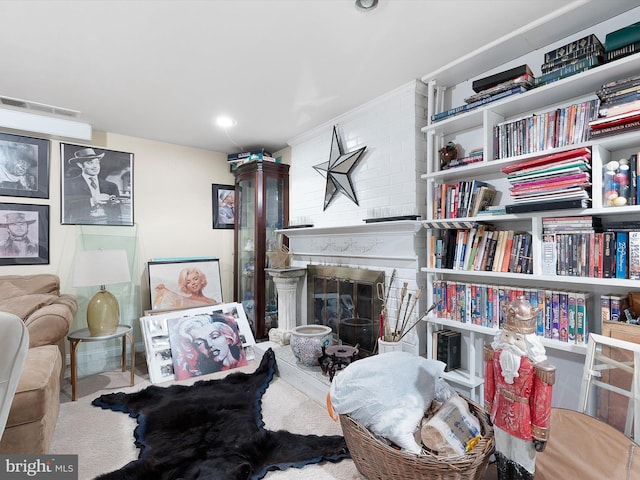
x=378 y=461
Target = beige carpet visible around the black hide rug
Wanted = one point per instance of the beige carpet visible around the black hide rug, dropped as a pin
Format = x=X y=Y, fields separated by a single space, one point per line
x=103 y=439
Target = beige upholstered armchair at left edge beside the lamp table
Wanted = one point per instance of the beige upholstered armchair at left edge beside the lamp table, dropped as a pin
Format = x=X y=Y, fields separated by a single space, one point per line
x=47 y=315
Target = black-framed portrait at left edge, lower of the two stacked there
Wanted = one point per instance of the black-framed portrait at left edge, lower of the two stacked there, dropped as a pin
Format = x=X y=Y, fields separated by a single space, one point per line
x=24 y=234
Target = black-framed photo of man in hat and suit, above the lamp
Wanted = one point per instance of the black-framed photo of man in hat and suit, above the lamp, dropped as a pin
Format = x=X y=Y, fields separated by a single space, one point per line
x=96 y=186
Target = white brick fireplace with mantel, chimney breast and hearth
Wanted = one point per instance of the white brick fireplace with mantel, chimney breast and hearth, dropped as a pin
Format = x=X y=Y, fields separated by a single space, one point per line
x=387 y=182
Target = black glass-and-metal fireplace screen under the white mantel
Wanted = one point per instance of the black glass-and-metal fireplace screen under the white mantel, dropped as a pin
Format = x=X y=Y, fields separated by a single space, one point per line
x=345 y=299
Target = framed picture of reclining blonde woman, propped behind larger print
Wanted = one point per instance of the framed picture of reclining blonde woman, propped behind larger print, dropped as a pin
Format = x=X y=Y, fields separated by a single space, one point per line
x=184 y=283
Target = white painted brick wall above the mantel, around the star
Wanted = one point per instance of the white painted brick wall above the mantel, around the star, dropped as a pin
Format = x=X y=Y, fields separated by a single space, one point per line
x=385 y=177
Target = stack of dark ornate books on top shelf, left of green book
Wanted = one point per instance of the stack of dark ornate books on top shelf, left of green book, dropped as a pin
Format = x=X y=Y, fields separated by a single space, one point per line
x=572 y=58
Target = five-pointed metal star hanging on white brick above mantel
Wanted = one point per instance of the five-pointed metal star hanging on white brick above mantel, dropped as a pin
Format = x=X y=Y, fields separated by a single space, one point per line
x=338 y=171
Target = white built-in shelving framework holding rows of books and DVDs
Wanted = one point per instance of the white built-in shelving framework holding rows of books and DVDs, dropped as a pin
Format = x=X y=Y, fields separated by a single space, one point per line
x=475 y=128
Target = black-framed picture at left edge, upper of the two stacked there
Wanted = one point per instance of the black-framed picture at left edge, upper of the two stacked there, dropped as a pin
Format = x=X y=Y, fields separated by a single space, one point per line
x=24 y=166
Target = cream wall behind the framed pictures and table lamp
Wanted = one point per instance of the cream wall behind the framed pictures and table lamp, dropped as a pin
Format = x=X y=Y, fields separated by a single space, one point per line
x=172 y=213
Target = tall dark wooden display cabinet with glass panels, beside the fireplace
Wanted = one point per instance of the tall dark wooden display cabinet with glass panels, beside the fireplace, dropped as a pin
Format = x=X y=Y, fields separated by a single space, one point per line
x=262 y=206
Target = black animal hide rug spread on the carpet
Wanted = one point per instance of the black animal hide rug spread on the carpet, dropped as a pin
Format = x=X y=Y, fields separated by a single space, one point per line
x=213 y=429
